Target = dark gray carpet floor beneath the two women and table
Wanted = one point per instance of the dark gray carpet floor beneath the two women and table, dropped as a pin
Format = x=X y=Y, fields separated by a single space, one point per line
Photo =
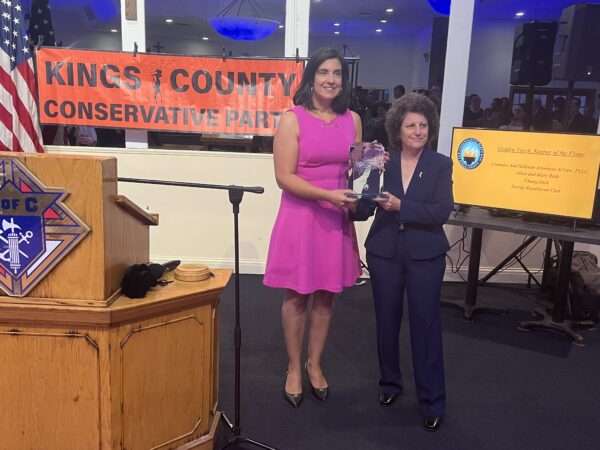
x=507 y=389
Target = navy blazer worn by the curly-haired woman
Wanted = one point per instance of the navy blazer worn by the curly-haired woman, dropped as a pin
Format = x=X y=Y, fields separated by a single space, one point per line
x=424 y=208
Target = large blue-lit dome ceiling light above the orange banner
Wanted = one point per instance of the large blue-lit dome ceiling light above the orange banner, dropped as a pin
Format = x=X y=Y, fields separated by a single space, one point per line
x=240 y=28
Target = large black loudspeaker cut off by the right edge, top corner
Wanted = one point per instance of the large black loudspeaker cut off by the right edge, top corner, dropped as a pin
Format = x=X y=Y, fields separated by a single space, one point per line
x=577 y=50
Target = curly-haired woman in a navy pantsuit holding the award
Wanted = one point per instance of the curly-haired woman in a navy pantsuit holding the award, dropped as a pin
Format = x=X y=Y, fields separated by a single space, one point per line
x=406 y=248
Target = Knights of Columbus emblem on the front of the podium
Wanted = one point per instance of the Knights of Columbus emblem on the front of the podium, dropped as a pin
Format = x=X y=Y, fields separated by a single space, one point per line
x=36 y=229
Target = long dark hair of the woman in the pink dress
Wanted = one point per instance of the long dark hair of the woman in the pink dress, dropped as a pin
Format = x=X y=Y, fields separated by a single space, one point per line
x=303 y=95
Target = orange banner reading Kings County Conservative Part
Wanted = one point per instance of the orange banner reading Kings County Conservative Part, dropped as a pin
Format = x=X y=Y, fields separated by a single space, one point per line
x=164 y=92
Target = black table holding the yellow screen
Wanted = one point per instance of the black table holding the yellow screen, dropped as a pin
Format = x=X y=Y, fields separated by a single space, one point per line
x=479 y=219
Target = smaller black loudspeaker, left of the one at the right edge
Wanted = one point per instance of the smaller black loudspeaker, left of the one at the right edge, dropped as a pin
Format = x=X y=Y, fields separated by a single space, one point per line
x=532 y=53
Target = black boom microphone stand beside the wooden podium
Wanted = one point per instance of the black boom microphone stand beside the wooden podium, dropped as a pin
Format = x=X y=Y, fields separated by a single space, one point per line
x=236 y=194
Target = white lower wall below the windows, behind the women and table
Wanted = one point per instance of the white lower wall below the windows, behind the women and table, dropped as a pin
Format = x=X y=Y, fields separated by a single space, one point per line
x=196 y=225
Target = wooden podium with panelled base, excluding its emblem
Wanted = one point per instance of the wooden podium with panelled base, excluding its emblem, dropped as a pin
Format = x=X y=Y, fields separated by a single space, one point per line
x=84 y=367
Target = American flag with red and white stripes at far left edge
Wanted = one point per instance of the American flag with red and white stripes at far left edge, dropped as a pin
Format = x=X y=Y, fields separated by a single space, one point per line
x=19 y=125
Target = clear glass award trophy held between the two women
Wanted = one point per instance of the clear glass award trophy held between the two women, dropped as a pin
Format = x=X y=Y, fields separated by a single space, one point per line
x=365 y=169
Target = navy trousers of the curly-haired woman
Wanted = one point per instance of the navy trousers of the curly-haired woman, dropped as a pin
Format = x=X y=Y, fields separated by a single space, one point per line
x=422 y=282
